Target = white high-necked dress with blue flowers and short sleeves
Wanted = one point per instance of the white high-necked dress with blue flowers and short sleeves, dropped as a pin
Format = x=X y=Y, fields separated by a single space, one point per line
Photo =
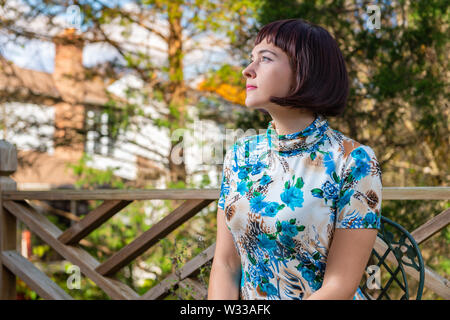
x=284 y=195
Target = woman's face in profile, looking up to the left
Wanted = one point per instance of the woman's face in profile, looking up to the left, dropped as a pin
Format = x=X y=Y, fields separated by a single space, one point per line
x=270 y=72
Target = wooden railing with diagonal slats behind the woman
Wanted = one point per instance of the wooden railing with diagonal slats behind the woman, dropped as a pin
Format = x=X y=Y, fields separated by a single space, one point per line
x=15 y=206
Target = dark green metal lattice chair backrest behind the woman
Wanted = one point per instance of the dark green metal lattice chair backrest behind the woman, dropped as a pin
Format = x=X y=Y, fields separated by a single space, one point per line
x=396 y=251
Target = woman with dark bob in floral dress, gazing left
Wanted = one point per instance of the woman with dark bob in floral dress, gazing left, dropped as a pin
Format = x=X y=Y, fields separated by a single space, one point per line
x=300 y=204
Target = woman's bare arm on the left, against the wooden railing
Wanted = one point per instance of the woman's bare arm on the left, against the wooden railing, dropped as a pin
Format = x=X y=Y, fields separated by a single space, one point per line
x=225 y=276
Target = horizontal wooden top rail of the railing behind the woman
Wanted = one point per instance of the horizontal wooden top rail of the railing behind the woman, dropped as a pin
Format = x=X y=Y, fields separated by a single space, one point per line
x=388 y=193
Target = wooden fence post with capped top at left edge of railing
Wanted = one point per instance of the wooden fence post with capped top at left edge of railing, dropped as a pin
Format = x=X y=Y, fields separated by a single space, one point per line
x=8 y=222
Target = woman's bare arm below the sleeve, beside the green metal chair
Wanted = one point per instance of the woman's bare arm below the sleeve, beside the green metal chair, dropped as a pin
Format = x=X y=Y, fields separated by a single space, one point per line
x=347 y=258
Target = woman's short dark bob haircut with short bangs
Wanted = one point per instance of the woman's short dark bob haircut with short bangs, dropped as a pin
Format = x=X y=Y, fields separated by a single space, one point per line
x=321 y=81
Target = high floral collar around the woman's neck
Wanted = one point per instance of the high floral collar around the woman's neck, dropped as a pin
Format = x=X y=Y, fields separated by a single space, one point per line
x=288 y=144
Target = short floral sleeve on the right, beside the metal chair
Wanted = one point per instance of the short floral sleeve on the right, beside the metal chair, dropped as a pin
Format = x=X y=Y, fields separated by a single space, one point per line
x=359 y=201
